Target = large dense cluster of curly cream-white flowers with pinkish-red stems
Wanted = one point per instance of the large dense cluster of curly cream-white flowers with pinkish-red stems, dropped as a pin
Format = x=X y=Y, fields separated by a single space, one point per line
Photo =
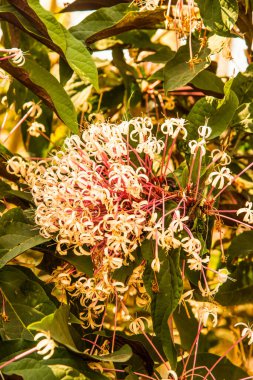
x=90 y=194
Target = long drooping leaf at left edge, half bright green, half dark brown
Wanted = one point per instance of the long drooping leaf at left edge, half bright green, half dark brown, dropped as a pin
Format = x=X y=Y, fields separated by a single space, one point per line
x=46 y=87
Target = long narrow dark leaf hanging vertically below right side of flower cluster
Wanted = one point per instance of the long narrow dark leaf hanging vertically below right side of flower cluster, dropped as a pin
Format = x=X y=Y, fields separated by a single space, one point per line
x=165 y=300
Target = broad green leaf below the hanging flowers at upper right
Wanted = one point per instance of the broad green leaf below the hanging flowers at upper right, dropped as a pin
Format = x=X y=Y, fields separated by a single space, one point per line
x=178 y=72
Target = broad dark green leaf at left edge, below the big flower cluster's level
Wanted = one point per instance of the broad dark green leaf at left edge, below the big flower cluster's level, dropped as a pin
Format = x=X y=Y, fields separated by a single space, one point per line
x=26 y=302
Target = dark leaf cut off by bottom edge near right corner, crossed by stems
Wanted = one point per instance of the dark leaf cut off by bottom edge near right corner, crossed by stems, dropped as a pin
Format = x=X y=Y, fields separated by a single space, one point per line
x=223 y=371
